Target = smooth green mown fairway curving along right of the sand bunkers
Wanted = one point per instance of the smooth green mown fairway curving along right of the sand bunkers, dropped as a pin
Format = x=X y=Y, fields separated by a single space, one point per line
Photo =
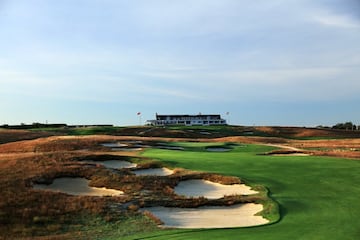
x=318 y=196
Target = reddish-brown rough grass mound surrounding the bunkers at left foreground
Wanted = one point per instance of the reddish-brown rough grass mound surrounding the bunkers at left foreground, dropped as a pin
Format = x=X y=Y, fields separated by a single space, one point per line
x=26 y=212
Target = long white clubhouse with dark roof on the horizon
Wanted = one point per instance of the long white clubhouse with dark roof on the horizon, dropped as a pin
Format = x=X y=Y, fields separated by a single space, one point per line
x=187 y=120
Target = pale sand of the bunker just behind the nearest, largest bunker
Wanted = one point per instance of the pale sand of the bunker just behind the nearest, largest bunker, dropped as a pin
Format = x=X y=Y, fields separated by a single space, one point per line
x=211 y=190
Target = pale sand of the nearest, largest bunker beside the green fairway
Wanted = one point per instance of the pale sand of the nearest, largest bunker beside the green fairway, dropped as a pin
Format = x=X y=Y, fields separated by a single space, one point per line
x=240 y=215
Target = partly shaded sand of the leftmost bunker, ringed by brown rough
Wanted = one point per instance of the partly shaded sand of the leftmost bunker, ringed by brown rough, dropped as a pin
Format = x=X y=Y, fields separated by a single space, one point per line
x=77 y=186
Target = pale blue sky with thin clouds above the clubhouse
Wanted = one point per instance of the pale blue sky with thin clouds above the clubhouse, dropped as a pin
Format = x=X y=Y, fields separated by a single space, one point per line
x=278 y=62
